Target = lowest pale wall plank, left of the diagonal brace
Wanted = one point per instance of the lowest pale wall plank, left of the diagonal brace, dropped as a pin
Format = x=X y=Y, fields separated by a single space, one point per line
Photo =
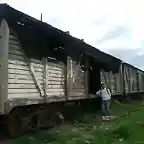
x=24 y=95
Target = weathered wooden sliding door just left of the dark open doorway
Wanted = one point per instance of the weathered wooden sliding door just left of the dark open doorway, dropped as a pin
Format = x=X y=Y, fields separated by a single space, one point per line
x=75 y=80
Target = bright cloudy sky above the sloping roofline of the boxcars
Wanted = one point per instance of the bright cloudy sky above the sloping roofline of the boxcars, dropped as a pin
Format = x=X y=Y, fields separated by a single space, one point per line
x=113 y=26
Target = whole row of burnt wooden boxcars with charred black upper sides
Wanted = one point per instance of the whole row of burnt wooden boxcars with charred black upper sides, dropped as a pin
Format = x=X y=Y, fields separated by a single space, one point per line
x=42 y=67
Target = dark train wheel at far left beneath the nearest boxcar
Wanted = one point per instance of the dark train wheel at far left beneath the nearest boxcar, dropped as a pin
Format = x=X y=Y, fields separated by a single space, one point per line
x=14 y=124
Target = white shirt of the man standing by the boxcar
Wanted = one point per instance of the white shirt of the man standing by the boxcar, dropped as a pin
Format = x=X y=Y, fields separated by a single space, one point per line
x=104 y=93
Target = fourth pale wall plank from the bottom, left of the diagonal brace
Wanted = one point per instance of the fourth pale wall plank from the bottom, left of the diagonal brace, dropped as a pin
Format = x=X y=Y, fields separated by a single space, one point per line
x=18 y=81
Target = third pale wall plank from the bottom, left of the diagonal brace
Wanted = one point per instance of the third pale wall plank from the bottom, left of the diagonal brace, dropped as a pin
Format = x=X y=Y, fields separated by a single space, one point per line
x=20 y=86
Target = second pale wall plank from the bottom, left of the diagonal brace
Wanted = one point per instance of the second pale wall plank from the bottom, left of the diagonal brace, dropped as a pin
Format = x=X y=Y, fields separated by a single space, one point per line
x=22 y=91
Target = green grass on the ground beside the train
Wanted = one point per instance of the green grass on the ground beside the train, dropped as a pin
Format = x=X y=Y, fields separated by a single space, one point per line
x=127 y=129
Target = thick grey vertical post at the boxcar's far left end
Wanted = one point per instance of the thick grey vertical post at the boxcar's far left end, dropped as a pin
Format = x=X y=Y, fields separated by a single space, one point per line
x=4 y=38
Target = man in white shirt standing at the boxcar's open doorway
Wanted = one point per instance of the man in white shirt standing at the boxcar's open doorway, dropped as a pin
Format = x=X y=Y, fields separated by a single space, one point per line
x=106 y=97
